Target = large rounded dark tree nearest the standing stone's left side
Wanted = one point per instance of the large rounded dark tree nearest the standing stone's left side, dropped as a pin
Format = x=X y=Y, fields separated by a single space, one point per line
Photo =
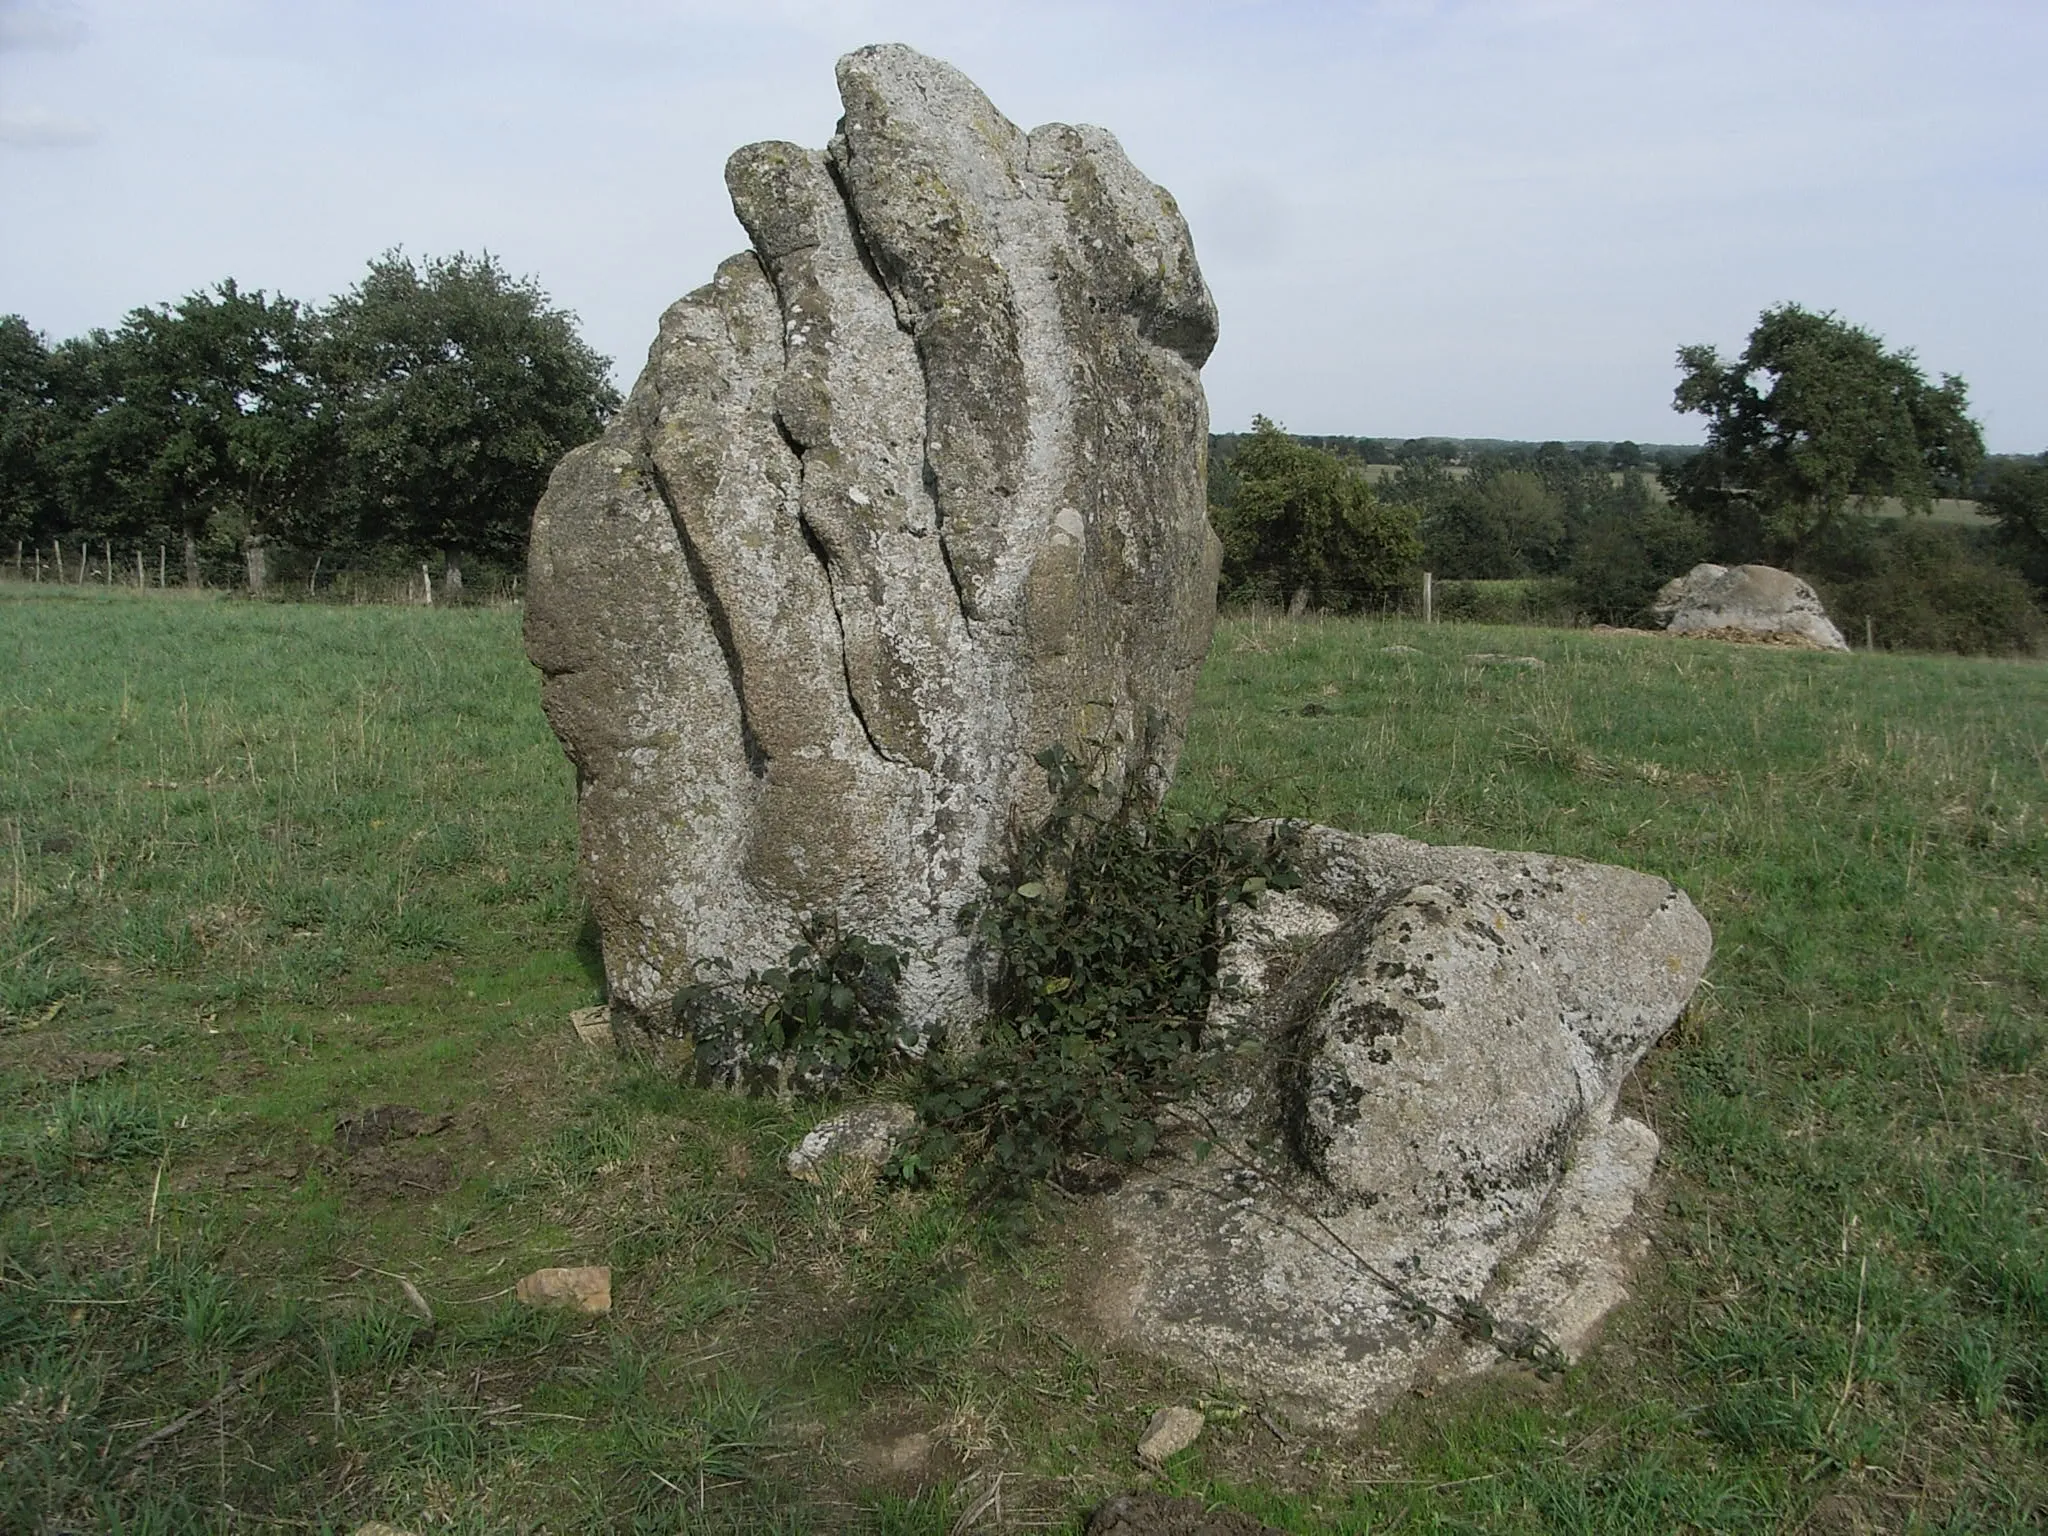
x=458 y=388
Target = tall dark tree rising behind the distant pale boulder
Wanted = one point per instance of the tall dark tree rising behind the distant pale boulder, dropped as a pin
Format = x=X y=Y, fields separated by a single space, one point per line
x=1809 y=421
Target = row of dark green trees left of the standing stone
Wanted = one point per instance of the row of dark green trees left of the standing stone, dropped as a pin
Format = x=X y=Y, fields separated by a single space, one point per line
x=417 y=417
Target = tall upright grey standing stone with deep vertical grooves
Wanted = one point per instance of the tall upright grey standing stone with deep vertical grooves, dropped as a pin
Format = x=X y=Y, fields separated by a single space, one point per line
x=906 y=495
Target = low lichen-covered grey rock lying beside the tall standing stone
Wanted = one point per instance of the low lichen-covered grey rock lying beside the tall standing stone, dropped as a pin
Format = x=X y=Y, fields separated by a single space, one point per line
x=1431 y=1046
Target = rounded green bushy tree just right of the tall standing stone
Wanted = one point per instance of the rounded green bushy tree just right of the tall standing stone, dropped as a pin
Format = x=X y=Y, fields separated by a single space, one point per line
x=1306 y=527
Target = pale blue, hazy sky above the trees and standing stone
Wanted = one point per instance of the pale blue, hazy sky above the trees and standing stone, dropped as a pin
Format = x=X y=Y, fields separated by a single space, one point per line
x=1420 y=218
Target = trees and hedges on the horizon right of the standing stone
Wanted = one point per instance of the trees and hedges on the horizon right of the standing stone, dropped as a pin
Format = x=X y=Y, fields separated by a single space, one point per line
x=1824 y=456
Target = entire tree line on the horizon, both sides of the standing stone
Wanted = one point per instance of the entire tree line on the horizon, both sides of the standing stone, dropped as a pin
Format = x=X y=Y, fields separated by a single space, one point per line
x=419 y=415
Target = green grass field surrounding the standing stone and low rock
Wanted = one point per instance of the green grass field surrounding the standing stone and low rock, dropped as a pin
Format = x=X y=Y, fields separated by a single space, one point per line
x=265 y=869
